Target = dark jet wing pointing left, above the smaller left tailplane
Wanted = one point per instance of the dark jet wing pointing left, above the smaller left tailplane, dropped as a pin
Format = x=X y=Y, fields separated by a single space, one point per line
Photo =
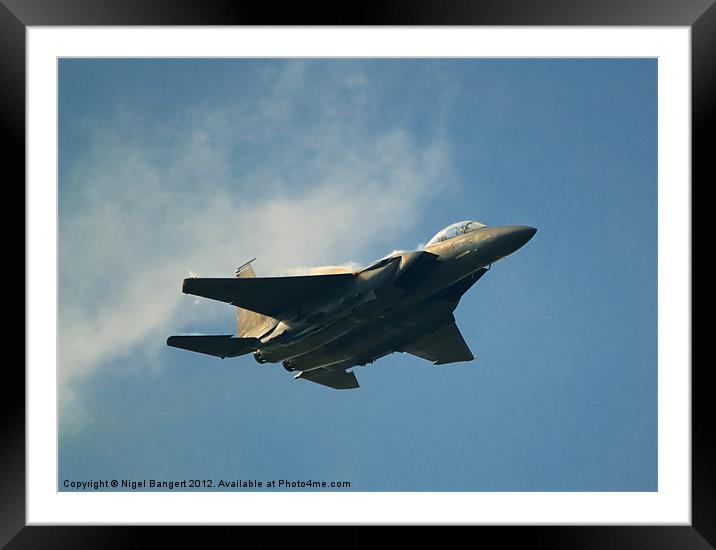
x=266 y=295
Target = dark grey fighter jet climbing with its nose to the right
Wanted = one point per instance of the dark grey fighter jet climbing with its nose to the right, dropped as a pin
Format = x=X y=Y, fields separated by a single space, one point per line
x=321 y=325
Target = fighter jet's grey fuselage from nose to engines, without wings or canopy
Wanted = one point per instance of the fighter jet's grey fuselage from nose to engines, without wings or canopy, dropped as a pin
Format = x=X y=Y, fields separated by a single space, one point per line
x=387 y=305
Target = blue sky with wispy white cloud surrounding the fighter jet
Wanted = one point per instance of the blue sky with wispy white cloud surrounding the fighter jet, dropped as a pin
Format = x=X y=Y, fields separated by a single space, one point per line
x=177 y=167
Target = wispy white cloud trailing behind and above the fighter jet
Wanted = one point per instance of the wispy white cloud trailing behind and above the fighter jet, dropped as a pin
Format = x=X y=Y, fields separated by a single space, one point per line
x=142 y=207
